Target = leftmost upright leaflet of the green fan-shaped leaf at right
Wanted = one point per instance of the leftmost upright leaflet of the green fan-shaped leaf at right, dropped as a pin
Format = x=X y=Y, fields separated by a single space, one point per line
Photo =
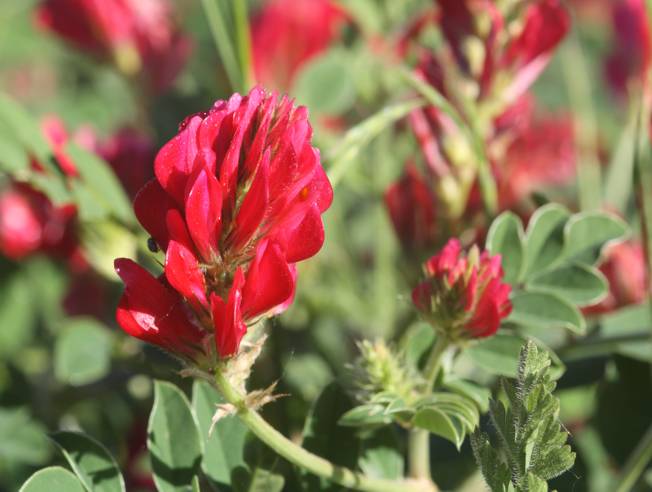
x=505 y=238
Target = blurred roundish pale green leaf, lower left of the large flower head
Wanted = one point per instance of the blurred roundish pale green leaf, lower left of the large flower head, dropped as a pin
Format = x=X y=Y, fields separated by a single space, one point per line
x=82 y=353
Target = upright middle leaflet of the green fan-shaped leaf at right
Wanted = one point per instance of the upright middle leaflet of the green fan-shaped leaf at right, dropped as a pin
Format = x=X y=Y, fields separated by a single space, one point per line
x=544 y=238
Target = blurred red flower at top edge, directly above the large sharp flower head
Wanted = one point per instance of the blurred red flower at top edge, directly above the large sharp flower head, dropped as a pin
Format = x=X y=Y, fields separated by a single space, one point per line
x=288 y=33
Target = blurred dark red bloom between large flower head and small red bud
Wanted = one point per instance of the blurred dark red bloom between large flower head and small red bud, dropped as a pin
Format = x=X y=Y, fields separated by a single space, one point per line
x=412 y=208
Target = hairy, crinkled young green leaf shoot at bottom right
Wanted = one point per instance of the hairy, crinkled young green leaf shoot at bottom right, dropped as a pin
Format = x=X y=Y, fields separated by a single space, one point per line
x=527 y=445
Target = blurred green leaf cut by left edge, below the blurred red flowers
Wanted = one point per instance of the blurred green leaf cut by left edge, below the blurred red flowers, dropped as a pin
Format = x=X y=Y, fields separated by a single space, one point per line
x=17 y=314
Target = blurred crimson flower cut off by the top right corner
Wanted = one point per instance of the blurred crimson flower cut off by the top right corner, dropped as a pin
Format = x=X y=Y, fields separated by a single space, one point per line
x=631 y=56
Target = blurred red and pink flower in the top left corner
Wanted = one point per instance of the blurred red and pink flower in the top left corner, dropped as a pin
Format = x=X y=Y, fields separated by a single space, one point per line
x=136 y=34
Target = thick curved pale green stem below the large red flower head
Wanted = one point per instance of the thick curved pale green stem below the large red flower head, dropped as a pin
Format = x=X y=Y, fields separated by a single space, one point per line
x=299 y=456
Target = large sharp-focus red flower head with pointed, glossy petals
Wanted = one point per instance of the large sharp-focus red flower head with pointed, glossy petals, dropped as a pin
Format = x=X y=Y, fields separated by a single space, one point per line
x=236 y=202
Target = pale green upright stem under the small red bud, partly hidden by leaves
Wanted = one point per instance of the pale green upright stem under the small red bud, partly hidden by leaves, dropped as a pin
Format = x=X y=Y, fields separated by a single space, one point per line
x=419 y=439
